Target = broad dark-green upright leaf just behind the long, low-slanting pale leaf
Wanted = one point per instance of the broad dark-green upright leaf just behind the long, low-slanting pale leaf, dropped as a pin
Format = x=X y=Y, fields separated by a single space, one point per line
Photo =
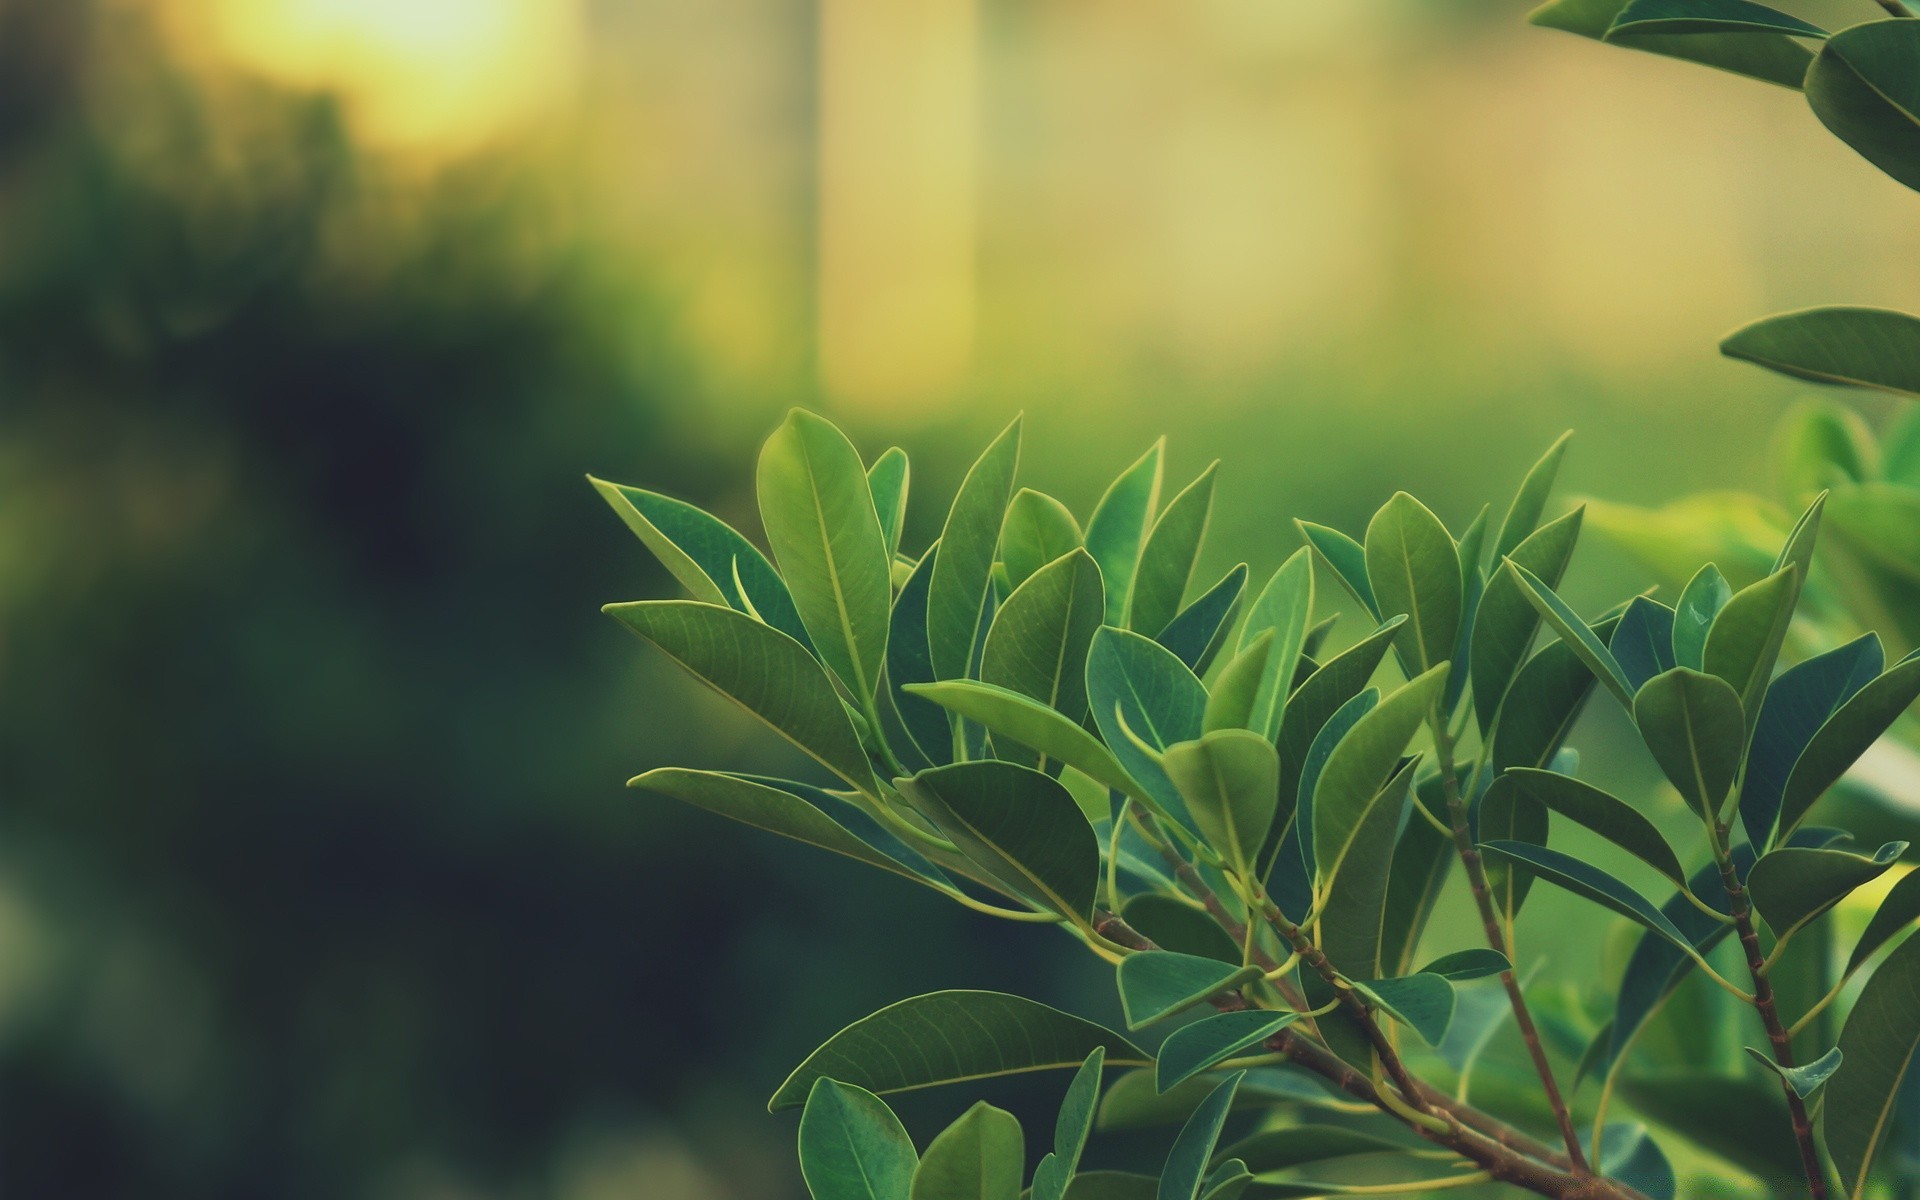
x=1038 y=644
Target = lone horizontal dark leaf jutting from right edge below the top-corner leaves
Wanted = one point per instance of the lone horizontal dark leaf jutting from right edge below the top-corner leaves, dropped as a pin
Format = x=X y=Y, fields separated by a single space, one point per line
x=1854 y=347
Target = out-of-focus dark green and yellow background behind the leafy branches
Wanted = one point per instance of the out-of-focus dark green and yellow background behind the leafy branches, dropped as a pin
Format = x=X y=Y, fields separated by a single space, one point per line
x=318 y=876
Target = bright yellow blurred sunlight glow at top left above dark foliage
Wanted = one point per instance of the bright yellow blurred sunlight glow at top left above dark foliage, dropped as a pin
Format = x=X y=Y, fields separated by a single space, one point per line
x=431 y=76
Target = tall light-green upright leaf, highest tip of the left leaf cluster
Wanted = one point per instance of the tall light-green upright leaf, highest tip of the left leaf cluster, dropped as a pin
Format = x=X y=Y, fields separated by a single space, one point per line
x=821 y=521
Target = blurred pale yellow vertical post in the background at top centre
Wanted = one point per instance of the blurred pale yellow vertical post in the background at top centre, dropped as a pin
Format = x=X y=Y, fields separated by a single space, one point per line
x=898 y=199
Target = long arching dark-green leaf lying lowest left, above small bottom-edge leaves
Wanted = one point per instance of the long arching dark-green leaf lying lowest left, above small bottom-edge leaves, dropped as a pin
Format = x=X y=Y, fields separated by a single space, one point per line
x=953 y=1038
